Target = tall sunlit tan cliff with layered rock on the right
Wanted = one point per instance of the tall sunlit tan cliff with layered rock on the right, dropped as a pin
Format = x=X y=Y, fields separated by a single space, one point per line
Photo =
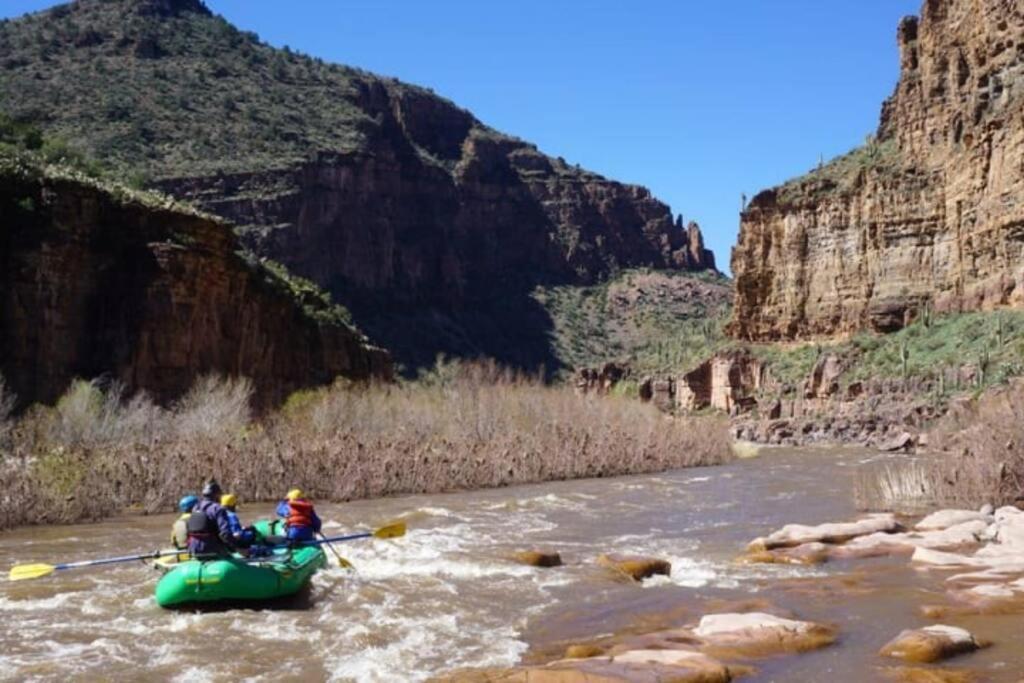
x=926 y=216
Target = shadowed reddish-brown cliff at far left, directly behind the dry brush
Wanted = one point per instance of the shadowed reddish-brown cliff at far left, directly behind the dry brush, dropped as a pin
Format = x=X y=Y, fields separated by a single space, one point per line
x=94 y=285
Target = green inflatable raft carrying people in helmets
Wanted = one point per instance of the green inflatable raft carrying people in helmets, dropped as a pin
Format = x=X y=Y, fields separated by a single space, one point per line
x=241 y=579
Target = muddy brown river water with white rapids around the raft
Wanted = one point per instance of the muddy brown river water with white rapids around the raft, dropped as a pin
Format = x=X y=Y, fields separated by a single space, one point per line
x=447 y=596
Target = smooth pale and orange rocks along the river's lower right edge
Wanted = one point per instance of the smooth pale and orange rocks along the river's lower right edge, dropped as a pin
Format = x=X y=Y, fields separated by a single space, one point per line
x=982 y=553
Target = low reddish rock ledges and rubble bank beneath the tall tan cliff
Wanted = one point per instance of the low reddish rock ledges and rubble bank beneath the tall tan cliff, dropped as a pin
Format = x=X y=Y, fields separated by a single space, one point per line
x=827 y=407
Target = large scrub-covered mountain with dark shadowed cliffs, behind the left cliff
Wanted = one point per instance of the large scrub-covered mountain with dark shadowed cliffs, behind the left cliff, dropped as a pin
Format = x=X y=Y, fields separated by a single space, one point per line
x=431 y=227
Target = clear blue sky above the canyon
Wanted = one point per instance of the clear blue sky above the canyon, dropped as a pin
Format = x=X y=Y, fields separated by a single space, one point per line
x=698 y=100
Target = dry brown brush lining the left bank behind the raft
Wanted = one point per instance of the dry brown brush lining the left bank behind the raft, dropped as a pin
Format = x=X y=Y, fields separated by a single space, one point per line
x=464 y=428
